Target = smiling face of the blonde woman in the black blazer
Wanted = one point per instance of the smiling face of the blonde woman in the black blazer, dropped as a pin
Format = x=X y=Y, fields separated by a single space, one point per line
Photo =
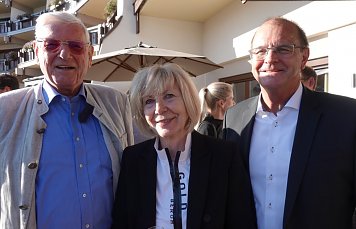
x=166 y=113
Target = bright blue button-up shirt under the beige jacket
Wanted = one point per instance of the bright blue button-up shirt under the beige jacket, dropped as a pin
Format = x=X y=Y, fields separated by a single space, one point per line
x=74 y=184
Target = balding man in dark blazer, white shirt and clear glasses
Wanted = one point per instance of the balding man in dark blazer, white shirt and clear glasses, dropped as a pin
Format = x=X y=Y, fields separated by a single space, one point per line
x=299 y=146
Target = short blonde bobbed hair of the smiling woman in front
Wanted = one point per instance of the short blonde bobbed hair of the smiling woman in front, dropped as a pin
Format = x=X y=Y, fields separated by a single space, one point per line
x=154 y=80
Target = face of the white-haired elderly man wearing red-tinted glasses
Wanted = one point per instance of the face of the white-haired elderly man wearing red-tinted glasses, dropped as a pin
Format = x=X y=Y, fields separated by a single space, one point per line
x=63 y=64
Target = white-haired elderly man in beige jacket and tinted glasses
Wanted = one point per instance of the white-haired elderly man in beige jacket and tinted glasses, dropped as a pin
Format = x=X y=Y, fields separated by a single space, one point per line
x=61 y=141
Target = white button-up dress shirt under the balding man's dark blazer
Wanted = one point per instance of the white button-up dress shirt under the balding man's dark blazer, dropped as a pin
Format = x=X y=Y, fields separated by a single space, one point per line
x=270 y=153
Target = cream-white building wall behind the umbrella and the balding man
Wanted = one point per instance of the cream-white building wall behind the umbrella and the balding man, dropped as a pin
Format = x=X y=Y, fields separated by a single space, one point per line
x=225 y=38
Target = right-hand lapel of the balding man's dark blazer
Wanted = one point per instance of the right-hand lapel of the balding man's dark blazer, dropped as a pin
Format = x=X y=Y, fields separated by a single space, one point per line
x=307 y=124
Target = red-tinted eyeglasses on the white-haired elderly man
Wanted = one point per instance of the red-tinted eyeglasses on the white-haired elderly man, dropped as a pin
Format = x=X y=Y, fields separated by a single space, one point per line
x=52 y=45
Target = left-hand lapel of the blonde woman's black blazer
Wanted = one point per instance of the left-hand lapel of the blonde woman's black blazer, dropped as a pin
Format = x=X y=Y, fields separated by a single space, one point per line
x=147 y=187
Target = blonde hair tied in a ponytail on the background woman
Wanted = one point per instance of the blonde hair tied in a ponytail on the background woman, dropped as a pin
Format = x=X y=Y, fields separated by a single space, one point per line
x=210 y=95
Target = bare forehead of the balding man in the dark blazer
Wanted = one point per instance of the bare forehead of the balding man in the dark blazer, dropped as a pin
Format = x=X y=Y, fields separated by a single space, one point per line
x=274 y=33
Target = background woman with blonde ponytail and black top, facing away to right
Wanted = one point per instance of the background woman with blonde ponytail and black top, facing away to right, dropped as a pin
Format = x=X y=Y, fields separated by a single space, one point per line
x=215 y=99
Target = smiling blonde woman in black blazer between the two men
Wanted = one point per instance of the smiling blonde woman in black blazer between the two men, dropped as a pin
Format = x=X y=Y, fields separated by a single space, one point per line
x=180 y=178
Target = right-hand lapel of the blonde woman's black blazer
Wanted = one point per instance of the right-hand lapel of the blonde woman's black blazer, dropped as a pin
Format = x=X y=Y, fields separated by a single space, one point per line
x=198 y=180
